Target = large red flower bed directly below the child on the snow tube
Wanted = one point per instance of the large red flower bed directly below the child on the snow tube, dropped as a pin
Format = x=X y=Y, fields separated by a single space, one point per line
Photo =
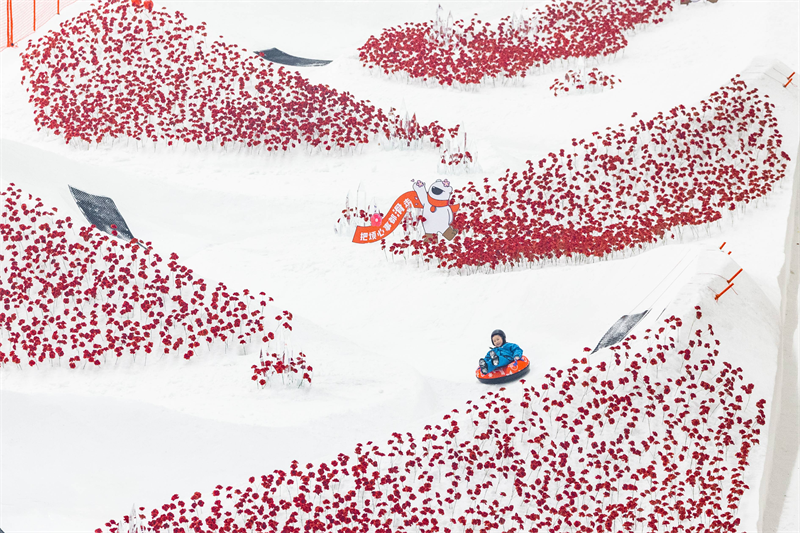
x=657 y=437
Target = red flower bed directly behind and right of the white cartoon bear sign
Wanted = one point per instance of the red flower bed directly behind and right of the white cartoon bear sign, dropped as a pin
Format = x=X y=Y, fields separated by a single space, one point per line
x=622 y=189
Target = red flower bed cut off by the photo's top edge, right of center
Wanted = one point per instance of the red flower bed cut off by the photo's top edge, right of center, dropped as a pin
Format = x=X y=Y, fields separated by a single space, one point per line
x=469 y=52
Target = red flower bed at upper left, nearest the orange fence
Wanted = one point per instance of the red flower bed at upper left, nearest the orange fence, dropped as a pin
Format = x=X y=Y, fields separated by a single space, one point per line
x=122 y=71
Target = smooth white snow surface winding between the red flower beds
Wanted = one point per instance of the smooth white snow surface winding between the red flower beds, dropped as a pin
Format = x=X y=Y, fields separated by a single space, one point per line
x=393 y=344
